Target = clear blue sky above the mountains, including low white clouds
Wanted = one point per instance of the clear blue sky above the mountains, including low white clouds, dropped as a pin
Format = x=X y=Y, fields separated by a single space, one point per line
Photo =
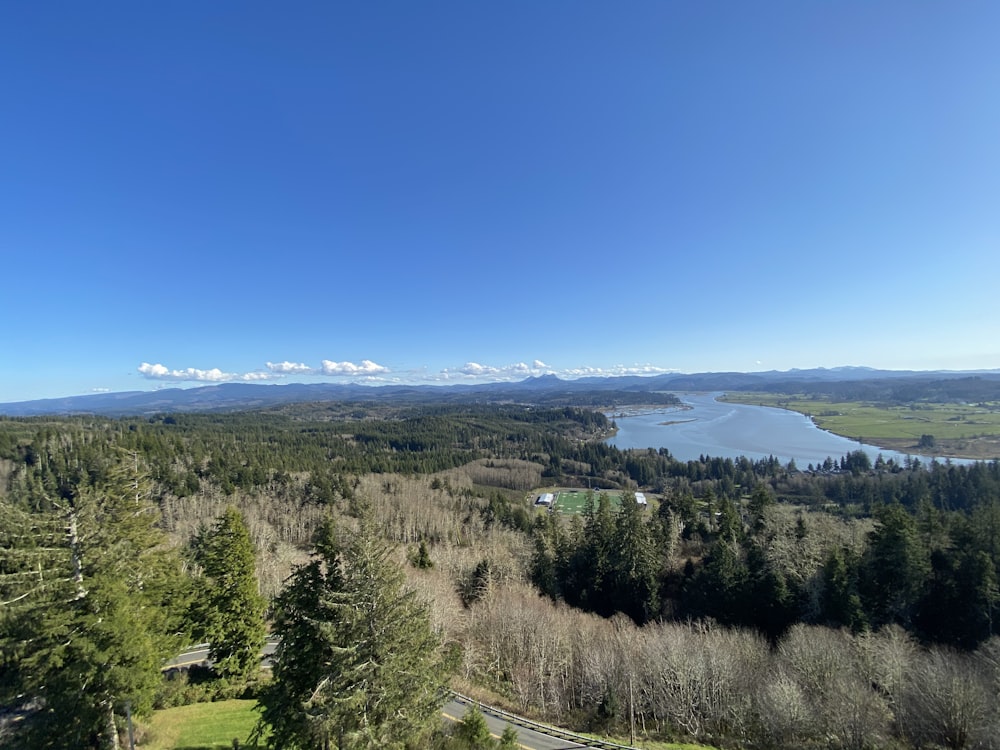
x=457 y=191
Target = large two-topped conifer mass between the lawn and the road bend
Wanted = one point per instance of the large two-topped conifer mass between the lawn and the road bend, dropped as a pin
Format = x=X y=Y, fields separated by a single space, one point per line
x=358 y=665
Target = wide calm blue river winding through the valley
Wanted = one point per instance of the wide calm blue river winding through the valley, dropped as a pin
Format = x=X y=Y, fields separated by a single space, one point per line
x=707 y=427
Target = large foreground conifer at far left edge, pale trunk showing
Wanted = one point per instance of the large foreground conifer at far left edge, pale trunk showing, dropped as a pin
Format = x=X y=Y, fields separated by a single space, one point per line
x=89 y=639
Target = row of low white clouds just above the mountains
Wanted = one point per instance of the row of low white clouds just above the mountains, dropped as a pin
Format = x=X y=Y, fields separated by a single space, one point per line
x=367 y=371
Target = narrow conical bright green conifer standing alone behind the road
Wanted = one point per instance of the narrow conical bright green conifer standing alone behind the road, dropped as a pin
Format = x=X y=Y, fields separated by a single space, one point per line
x=230 y=608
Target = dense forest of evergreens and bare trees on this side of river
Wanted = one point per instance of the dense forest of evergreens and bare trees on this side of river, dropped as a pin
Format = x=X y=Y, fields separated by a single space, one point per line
x=753 y=604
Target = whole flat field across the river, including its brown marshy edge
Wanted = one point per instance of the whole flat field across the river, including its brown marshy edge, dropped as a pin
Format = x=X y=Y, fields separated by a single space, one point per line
x=960 y=430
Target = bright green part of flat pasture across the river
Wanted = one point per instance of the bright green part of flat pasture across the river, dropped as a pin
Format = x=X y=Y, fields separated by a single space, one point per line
x=856 y=419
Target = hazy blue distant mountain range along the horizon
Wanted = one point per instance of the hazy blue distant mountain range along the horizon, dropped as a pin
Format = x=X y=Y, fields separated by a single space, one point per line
x=851 y=383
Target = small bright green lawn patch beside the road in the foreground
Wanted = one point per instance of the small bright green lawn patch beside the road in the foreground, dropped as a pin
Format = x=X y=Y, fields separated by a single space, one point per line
x=201 y=726
